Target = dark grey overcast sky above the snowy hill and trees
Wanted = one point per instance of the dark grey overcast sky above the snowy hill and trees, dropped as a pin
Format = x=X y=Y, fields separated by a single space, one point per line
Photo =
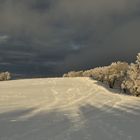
x=49 y=37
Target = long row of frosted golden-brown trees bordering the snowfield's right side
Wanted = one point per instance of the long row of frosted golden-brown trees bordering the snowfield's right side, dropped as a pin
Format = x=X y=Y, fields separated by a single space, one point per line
x=121 y=74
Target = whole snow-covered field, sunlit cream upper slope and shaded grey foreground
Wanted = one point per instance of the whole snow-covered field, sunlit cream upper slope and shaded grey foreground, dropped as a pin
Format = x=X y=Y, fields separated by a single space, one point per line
x=66 y=109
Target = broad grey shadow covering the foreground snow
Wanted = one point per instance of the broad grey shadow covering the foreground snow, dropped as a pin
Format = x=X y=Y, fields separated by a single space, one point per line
x=93 y=124
